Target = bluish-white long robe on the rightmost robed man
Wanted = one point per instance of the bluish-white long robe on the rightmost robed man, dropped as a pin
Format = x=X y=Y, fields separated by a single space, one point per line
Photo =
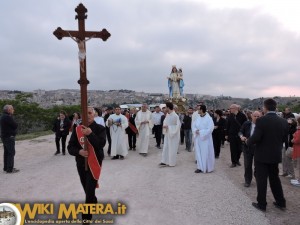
x=204 y=147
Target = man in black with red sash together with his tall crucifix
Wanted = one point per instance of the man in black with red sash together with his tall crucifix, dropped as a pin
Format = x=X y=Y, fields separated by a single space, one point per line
x=87 y=143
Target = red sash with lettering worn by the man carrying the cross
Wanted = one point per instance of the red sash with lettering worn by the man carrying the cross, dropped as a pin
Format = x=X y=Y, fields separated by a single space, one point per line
x=92 y=158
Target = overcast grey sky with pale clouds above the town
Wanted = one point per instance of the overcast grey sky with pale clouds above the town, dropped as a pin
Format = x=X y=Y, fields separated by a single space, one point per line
x=240 y=48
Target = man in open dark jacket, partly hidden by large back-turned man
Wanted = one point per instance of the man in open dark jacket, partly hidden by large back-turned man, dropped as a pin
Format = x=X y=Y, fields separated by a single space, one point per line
x=247 y=131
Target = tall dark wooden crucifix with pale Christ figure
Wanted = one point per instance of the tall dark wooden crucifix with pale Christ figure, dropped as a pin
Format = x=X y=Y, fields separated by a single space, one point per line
x=81 y=36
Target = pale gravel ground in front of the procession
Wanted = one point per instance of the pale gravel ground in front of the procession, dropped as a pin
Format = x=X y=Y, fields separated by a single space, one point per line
x=153 y=195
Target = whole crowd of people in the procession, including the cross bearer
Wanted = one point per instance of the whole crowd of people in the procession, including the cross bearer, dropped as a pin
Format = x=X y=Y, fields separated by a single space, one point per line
x=265 y=137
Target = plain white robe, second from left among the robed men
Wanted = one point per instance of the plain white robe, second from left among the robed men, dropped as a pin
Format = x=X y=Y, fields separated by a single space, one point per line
x=144 y=130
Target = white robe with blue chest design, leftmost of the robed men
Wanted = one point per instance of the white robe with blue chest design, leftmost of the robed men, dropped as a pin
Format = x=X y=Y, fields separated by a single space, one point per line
x=118 y=135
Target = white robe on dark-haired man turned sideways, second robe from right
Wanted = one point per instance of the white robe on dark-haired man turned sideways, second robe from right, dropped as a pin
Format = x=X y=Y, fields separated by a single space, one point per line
x=171 y=139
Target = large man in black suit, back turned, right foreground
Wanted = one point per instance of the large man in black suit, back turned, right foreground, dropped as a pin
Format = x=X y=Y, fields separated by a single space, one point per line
x=269 y=135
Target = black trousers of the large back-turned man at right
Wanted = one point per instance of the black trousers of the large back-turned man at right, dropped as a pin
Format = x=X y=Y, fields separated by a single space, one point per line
x=263 y=171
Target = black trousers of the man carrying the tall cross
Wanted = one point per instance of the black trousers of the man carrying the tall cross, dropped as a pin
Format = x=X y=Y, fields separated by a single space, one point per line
x=89 y=186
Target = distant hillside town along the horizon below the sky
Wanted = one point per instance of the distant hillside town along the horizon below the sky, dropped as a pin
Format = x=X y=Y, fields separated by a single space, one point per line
x=48 y=99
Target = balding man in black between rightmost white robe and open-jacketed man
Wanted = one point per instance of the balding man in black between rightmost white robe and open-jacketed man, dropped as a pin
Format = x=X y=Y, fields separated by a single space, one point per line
x=234 y=123
